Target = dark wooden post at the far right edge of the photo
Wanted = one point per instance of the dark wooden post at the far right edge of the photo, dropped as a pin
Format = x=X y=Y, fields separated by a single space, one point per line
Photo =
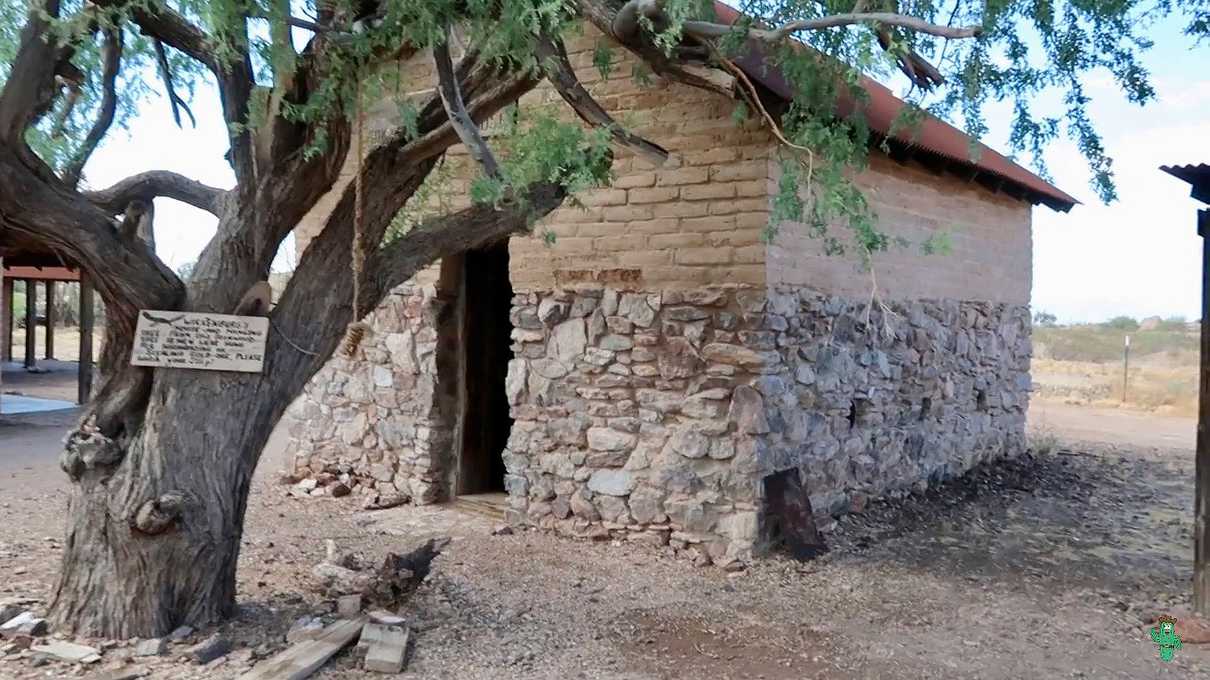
x=1202 y=492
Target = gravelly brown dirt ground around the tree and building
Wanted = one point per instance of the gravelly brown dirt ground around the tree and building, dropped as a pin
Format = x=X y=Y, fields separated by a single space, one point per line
x=1045 y=567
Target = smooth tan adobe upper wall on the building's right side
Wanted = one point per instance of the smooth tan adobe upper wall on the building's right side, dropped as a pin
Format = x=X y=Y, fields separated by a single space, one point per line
x=992 y=256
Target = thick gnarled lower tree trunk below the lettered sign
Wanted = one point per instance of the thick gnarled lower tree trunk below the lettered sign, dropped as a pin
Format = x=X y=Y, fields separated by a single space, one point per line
x=153 y=543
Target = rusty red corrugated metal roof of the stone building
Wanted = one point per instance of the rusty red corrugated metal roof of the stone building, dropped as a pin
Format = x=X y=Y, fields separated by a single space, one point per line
x=932 y=136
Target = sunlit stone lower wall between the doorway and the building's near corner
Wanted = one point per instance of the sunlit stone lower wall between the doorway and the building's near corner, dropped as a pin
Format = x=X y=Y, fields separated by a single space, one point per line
x=635 y=416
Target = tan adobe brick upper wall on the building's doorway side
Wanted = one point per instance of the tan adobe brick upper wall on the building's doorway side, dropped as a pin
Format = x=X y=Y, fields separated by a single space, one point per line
x=698 y=220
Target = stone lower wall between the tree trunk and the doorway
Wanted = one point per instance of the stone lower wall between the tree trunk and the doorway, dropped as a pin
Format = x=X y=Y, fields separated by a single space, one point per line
x=376 y=422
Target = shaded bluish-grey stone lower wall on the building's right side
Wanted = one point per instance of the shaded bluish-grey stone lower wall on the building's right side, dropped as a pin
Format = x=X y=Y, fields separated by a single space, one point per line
x=925 y=391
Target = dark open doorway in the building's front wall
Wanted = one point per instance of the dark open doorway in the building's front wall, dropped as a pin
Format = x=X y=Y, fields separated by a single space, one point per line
x=487 y=342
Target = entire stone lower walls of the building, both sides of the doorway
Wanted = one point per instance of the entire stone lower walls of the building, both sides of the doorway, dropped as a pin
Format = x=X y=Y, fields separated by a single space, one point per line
x=656 y=416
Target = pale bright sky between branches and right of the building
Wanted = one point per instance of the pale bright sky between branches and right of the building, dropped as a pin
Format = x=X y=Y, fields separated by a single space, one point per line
x=1139 y=257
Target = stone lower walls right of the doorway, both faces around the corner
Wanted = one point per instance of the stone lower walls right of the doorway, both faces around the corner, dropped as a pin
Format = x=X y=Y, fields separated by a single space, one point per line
x=658 y=416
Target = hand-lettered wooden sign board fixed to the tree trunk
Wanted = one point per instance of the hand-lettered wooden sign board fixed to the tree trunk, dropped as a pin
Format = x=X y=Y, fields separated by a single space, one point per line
x=200 y=342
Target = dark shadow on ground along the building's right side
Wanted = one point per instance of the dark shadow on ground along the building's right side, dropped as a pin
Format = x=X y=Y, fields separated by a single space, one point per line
x=1088 y=517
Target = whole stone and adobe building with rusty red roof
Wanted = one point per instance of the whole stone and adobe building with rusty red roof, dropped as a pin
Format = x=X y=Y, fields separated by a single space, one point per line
x=650 y=373
